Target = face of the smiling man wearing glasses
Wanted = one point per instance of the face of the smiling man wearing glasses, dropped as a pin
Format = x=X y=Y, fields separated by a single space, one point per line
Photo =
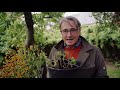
x=70 y=33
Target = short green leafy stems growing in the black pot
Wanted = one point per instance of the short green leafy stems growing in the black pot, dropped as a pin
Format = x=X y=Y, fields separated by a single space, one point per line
x=60 y=62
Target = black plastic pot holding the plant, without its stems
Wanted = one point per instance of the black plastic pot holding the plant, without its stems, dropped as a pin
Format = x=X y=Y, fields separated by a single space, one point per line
x=63 y=73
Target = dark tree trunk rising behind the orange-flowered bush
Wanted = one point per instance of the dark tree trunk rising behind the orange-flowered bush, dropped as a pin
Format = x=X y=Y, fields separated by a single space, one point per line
x=30 y=32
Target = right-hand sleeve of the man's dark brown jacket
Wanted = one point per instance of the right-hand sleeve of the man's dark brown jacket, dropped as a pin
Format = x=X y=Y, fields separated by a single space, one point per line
x=101 y=70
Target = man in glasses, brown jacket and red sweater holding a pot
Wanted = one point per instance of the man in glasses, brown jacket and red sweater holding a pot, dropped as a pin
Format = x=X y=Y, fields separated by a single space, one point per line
x=91 y=60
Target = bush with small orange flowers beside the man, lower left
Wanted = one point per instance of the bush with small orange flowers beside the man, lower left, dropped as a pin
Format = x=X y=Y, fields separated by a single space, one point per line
x=23 y=63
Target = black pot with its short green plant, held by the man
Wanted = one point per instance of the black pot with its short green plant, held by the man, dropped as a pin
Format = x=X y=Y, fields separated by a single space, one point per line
x=61 y=67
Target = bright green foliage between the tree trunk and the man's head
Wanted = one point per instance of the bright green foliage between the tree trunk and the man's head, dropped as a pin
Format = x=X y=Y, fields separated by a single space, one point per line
x=43 y=20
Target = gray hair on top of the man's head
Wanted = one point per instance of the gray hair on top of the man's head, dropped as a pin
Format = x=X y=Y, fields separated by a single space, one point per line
x=75 y=20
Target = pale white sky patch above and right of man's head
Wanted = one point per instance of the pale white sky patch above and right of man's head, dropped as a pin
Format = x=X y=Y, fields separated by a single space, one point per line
x=83 y=17
